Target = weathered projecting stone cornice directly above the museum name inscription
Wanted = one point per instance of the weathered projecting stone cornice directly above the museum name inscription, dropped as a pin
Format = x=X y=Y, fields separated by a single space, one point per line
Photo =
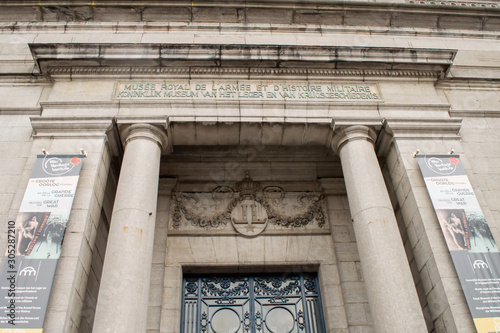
x=257 y=60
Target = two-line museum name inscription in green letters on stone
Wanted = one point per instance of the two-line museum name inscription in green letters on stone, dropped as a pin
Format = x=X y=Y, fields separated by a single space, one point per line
x=248 y=90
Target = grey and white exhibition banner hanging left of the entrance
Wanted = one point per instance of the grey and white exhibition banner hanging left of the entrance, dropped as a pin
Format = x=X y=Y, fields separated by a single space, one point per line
x=34 y=243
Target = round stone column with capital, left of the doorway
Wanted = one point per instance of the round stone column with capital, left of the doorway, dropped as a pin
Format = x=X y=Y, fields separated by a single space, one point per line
x=124 y=291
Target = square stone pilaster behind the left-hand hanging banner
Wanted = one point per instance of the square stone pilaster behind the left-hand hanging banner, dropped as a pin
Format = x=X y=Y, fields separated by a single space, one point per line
x=63 y=135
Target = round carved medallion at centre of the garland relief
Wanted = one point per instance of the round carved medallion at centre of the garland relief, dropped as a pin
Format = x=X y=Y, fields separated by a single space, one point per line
x=249 y=217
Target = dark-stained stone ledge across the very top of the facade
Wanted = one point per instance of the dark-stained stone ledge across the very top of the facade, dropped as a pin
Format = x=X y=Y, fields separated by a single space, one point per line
x=348 y=13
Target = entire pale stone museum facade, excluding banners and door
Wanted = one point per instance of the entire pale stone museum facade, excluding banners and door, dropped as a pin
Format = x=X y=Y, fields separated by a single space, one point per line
x=252 y=137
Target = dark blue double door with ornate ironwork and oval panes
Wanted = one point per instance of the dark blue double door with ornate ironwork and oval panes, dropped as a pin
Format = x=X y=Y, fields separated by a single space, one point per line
x=278 y=303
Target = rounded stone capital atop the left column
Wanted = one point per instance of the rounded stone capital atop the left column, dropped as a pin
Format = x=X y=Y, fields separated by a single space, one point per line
x=145 y=131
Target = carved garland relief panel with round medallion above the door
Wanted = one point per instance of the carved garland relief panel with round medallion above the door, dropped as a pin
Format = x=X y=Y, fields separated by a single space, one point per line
x=247 y=208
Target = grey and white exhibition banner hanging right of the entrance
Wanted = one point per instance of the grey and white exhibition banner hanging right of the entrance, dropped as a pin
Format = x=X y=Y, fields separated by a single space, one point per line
x=468 y=236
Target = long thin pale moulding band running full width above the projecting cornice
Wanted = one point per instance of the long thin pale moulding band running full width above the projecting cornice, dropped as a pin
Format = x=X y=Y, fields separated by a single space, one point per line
x=489 y=31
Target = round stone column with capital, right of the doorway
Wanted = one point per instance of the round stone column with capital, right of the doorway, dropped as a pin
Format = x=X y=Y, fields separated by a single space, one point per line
x=391 y=292
